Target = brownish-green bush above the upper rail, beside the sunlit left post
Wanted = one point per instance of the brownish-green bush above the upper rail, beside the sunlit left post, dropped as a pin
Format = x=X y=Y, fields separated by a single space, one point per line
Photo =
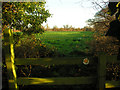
x=31 y=47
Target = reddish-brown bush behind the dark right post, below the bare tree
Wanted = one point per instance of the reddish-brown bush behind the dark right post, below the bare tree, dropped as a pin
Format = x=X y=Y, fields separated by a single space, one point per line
x=105 y=44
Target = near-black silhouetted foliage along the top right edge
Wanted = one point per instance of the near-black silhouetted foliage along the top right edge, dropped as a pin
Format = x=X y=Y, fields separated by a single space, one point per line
x=114 y=30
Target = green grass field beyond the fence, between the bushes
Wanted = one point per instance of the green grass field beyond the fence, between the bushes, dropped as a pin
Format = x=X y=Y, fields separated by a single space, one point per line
x=68 y=43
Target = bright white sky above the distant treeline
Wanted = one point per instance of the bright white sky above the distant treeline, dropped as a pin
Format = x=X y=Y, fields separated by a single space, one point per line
x=69 y=12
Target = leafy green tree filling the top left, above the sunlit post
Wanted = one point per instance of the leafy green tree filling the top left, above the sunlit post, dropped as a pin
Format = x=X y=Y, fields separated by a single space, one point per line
x=25 y=16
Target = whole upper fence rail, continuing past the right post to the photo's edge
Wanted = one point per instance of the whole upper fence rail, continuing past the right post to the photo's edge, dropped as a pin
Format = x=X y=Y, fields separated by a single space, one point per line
x=61 y=60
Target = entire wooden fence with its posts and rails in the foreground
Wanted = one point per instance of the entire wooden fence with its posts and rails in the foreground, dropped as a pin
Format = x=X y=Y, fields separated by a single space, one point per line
x=14 y=82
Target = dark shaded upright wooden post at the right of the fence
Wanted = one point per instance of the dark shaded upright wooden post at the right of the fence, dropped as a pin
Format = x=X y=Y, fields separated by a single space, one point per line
x=101 y=71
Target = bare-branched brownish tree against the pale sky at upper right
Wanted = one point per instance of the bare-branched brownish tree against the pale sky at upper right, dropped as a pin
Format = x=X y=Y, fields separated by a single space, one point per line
x=101 y=19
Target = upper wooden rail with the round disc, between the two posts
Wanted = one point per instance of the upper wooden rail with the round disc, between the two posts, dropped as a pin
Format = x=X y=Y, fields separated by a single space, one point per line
x=50 y=61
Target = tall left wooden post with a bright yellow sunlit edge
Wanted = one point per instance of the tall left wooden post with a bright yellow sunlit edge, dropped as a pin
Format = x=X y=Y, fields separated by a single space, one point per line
x=9 y=58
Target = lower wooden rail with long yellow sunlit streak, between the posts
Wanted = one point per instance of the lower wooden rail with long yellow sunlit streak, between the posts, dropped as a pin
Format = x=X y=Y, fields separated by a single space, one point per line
x=56 y=81
